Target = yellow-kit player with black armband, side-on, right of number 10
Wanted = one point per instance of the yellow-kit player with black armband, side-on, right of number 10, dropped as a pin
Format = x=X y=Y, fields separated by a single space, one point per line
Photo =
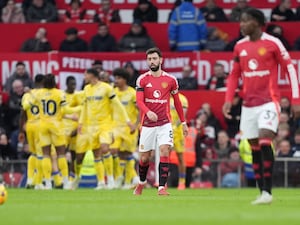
x=96 y=122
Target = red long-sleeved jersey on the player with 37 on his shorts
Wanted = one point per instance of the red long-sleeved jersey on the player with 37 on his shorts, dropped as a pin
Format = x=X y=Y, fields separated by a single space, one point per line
x=257 y=63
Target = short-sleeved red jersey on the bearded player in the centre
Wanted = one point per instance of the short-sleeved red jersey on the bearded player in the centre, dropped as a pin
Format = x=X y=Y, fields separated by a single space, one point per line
x=157 y=91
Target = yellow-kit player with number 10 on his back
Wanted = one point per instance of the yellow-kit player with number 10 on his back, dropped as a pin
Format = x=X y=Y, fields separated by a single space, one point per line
x=52 y=106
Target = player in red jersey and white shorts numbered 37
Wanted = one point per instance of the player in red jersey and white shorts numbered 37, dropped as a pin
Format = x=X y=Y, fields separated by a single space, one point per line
x=256 y=60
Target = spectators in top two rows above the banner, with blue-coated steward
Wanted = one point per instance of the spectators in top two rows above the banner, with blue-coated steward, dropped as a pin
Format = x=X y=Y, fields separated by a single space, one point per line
x=137 y=38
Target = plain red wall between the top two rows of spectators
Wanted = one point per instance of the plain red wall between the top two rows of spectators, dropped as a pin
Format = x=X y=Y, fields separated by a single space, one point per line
x=15 y=34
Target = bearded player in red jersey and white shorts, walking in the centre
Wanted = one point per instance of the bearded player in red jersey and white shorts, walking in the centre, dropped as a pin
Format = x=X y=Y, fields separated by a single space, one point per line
x=154 y=89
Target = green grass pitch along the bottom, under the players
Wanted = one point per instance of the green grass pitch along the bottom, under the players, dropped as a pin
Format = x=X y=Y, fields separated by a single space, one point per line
x=191 y=206
